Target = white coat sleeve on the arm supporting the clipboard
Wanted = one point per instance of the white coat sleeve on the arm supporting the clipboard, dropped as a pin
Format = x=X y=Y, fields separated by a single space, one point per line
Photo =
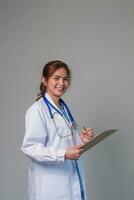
x=35 y=136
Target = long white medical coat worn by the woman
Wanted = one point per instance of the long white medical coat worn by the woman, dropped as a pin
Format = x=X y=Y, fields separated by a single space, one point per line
x=51 y=176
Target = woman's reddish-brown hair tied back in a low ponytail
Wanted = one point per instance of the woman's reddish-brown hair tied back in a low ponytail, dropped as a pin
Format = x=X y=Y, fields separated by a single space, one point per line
x=48 y=71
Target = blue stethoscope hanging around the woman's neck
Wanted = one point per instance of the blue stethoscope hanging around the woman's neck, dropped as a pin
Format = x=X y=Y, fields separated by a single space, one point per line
x=65 y=113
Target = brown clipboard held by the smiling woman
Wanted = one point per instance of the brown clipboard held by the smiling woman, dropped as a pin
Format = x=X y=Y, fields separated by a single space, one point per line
x=98 y=138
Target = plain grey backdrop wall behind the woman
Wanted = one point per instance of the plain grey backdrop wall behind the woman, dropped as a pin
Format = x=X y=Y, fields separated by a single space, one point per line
x=96 y=39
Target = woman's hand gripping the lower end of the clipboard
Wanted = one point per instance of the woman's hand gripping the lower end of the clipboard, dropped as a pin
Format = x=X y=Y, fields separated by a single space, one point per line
x=74 y=152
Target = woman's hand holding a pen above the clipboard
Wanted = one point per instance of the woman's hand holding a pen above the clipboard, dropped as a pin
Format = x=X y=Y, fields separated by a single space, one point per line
x=86 y=135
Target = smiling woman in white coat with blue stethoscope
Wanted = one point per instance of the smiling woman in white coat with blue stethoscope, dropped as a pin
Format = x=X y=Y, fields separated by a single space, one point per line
x=52 y=141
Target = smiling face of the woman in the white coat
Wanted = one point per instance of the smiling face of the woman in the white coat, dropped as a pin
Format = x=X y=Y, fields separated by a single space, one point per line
x=58 y=83
